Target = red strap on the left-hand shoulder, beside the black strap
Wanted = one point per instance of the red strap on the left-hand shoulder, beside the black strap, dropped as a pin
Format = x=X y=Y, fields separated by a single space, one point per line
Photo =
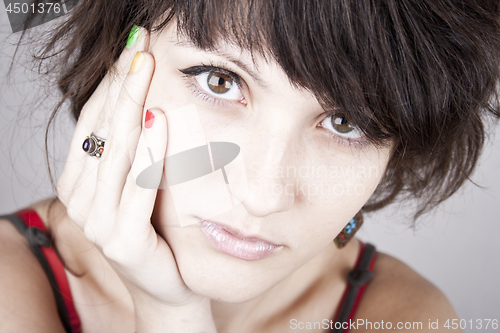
x=33 y=220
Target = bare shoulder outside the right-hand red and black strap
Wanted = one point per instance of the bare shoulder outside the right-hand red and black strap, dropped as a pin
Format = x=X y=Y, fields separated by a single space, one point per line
x=399 y=294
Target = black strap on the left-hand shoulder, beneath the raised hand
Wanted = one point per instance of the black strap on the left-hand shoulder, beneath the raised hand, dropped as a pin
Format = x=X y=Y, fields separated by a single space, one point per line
x=36 y=238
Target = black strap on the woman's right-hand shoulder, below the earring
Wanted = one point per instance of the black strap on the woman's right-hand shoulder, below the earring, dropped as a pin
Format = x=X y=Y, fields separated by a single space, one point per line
x=357 y=278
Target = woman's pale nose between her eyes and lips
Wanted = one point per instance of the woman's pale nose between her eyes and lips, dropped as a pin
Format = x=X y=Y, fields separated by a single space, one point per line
x=271 y=189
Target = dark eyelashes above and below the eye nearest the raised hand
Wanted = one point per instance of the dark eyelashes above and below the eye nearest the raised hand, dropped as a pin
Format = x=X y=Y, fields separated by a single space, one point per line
x=191 y=72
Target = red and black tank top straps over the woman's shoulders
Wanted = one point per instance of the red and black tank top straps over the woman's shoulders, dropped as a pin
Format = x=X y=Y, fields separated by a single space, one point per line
x=31 y=226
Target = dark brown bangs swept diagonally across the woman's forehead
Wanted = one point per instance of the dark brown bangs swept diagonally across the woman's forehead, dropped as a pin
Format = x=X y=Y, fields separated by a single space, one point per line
x=322 y=46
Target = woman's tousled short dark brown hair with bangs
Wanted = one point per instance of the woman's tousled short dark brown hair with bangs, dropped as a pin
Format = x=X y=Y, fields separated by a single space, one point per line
x=420 y=73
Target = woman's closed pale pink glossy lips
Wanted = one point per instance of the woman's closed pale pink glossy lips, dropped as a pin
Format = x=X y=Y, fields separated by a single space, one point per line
x=231 y=242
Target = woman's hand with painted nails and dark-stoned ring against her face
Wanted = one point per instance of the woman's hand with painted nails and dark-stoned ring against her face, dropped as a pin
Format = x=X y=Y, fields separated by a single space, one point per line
x=101 y=195
